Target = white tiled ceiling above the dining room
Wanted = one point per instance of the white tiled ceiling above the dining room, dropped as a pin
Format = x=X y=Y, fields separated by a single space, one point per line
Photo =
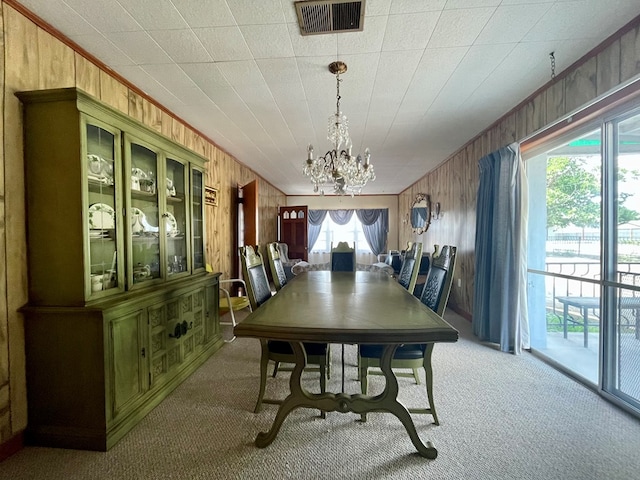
x=424 y=76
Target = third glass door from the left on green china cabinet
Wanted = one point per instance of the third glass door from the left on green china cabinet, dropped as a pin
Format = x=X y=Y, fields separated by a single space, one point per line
x=175 y=217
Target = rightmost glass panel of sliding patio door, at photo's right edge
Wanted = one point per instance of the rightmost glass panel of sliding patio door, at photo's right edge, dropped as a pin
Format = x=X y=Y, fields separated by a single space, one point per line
x=621 y=372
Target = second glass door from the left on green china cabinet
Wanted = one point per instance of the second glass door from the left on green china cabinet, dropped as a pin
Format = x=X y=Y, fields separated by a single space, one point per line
x=143 y=214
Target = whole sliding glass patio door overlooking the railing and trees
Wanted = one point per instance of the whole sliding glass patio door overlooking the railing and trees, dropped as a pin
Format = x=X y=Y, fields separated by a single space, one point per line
x=584 y=254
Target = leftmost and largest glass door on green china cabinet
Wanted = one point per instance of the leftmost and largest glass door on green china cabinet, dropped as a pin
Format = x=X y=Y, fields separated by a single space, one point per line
x=101 y=158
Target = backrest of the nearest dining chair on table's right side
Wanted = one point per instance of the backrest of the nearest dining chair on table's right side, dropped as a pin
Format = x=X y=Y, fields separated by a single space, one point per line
x=437 y=287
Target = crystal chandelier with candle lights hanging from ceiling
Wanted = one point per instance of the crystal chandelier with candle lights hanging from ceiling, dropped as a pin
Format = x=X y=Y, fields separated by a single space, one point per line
x=347 y=174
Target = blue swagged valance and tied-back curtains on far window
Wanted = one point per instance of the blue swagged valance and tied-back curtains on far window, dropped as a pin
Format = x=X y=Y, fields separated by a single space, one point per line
x=375 y=224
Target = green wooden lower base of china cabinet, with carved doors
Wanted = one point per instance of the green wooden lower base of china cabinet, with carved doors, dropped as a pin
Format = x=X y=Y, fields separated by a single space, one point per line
x=94 y=372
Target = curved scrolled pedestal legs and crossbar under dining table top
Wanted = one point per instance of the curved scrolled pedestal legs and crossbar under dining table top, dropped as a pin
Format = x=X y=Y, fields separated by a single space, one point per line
x=356 y=403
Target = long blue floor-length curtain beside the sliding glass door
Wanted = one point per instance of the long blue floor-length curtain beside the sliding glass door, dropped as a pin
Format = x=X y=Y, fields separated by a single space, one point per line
x=500 y=289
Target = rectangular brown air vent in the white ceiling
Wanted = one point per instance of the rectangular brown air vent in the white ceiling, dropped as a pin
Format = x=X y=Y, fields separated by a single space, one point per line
x=330 y=16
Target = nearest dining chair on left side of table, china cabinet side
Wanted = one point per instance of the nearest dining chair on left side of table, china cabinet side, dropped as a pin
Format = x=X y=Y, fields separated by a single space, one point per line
x=277 y=351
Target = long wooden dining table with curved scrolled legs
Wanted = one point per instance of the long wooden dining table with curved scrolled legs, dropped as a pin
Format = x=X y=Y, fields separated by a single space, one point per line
x=346 y=308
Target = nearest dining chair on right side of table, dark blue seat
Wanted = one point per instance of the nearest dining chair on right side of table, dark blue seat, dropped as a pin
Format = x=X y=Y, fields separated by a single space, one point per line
x=435 y=295
